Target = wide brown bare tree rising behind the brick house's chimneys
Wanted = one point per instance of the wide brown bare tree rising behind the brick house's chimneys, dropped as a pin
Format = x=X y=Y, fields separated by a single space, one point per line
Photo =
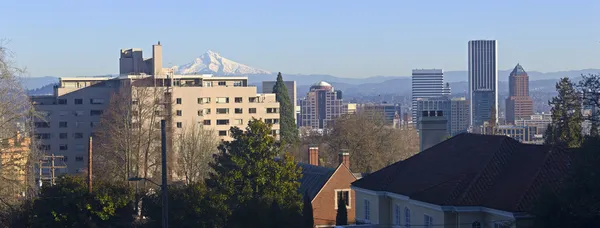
x=372 y=143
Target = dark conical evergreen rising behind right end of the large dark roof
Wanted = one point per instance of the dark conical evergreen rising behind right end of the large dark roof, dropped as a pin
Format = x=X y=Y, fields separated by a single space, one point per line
x=567 y=118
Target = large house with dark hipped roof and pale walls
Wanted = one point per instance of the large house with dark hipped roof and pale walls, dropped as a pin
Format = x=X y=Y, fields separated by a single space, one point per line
x=470 y=180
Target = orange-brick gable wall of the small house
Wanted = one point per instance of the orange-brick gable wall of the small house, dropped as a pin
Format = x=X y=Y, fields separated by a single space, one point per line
x=324 y=204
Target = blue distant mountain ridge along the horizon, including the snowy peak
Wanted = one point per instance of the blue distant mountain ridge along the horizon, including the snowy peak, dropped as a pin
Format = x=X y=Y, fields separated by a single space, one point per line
x=213 y=63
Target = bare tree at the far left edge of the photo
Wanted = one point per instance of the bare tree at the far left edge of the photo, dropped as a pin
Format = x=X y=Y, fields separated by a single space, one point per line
x=18 y=152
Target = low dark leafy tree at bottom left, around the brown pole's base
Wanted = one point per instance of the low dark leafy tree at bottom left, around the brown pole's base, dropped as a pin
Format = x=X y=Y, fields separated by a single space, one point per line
x=68 y=204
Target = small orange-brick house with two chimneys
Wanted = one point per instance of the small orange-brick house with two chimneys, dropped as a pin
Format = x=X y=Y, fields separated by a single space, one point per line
x=325 y=186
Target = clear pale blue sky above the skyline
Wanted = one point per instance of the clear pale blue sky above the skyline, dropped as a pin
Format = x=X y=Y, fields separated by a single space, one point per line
x=345 y=38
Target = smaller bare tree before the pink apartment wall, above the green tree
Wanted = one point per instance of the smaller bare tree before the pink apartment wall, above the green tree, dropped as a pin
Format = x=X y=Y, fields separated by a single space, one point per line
x=194 y=147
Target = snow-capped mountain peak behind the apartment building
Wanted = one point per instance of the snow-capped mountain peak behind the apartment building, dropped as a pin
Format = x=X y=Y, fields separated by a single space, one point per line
x=213 y=63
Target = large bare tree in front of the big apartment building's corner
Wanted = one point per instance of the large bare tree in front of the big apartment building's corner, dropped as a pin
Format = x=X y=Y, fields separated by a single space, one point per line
x=128 y=138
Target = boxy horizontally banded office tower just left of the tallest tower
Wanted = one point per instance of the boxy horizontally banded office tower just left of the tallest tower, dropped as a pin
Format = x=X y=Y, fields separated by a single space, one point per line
x=426 y=83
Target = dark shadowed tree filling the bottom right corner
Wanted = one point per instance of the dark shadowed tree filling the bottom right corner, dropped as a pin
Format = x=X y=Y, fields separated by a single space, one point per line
x=576 y=204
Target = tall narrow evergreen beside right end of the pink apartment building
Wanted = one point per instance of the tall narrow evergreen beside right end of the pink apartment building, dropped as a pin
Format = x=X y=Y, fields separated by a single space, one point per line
x=287 y=125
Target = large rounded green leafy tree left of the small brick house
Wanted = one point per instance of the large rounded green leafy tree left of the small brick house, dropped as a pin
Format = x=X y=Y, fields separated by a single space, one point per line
x=248 y=178
